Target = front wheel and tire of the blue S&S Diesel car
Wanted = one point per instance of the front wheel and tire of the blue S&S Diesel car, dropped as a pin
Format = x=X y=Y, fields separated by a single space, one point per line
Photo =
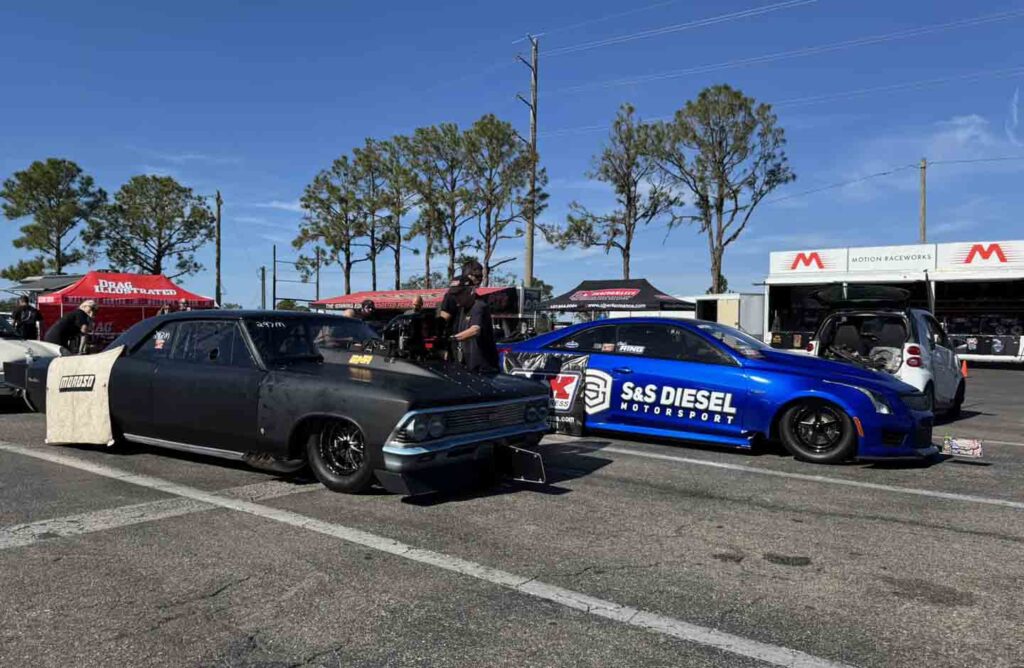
x=819 y=432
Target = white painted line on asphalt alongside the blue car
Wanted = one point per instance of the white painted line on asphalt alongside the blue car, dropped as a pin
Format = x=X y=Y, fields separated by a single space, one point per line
x=950 y=496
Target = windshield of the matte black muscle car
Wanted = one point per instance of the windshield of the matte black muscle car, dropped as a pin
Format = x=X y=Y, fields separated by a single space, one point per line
x=283 y=340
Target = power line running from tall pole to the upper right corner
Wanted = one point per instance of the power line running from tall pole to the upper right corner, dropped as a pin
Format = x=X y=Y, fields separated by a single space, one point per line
x=796 y=54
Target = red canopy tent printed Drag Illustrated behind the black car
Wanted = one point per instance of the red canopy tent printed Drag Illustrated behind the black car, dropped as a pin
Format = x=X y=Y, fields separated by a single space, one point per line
x=123 y=300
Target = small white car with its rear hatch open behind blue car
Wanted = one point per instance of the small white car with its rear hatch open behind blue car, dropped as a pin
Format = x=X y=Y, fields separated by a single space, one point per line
x=908 y=344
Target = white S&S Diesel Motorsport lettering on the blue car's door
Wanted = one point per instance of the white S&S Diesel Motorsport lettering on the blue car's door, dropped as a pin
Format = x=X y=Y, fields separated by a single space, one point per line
x=686 y=403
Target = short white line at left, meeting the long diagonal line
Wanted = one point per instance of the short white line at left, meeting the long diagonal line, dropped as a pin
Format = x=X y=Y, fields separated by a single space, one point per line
x=88 y=523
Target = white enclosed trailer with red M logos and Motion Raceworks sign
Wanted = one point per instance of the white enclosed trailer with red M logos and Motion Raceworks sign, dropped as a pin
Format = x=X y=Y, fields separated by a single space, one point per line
x=975 y=289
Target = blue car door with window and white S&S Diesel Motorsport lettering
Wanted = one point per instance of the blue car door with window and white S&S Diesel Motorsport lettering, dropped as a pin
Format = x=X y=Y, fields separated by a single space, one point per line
x=668 y=381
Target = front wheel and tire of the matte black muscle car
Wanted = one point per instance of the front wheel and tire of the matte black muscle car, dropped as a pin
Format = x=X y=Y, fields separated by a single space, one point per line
x=338 y=457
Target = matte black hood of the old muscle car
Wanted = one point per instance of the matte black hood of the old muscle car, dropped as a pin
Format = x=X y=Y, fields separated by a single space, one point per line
x=425 y=385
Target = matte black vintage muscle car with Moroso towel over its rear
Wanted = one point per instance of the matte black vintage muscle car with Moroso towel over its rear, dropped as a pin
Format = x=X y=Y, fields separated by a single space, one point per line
x=281 y=390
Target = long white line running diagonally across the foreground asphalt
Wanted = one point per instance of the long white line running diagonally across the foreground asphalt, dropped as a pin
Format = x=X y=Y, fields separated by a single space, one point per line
x=669 y=627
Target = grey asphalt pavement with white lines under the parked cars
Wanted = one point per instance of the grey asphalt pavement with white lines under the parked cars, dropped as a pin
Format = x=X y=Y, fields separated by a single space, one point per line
x=634 y=555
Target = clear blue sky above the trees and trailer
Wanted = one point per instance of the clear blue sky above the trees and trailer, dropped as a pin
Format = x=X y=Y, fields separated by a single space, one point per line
x=255 y=98
